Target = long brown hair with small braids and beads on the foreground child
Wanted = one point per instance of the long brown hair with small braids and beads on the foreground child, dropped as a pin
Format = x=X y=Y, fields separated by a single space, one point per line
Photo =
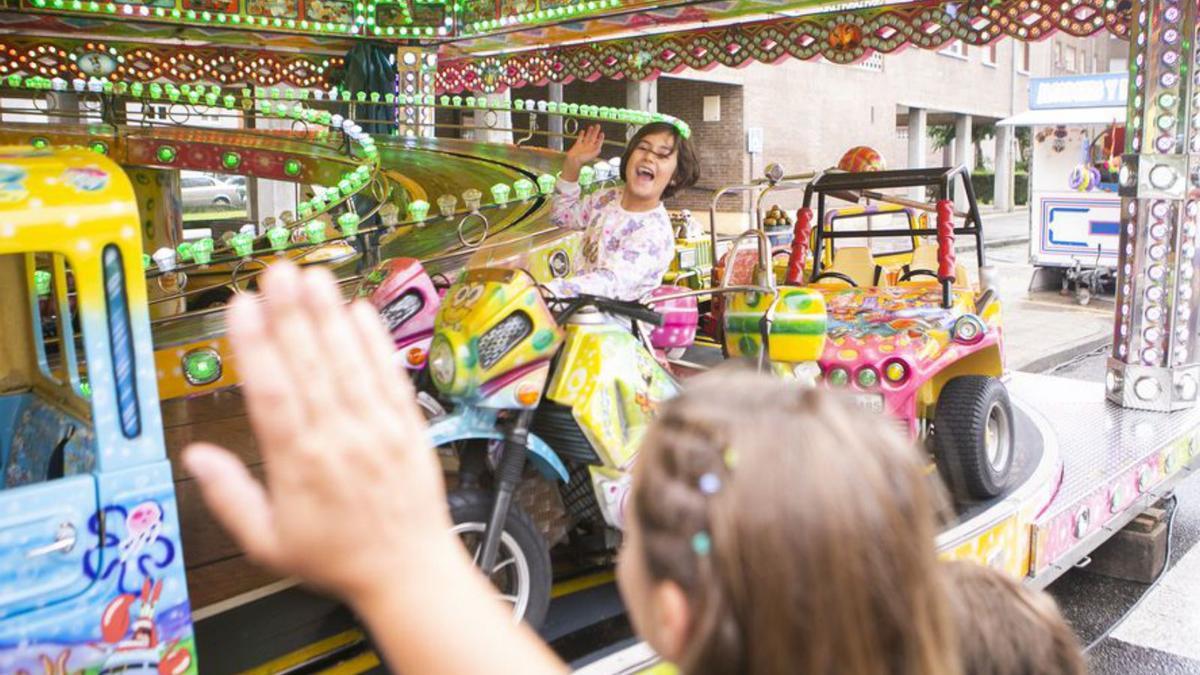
x=821 y=557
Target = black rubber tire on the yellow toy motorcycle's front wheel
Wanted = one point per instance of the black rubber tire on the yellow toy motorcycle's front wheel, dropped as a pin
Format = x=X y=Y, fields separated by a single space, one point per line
x=476 y=506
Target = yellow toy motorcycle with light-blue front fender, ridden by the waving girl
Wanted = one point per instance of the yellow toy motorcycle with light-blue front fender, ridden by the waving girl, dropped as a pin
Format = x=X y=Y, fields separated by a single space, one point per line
x=549 y=410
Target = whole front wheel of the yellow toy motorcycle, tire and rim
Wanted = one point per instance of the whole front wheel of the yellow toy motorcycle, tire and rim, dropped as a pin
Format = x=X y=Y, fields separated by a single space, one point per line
x=523 y=574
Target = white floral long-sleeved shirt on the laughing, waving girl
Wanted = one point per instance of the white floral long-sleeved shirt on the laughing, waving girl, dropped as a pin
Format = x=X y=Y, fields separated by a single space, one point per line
x=623 y=255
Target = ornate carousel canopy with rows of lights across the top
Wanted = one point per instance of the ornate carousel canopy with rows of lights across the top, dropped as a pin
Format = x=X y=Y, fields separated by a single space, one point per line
x=491 y=45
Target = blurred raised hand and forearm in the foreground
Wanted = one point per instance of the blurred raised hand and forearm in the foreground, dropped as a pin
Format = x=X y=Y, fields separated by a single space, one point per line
x=353 y=500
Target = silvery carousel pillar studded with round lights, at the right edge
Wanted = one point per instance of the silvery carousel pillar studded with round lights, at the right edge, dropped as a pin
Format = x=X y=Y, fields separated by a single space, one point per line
x=1154 y=365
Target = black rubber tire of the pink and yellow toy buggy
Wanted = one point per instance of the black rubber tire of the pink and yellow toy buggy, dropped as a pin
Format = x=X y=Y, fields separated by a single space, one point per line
x=961 y=426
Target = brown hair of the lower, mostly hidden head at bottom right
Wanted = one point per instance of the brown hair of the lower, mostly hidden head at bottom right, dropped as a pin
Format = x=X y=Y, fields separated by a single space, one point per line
x=1009 y=630
